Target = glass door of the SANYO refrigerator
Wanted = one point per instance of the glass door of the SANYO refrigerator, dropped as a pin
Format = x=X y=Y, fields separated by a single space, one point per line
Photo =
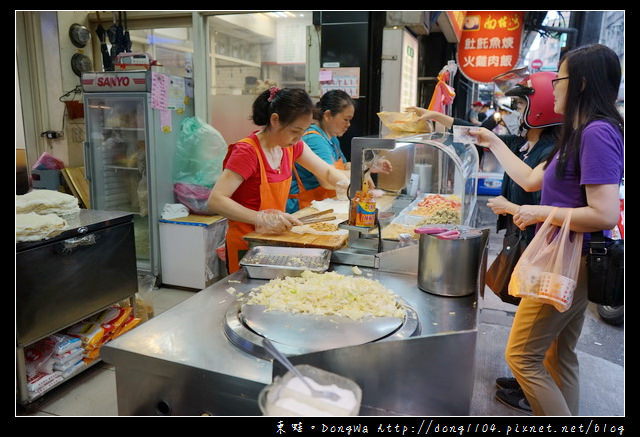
x=118 y=141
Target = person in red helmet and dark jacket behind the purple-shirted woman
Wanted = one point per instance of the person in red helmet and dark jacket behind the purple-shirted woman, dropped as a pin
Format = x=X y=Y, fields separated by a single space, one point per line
x=532 y=144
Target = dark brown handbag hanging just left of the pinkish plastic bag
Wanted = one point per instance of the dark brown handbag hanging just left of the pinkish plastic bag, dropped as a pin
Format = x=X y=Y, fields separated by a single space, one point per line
x=499 y=273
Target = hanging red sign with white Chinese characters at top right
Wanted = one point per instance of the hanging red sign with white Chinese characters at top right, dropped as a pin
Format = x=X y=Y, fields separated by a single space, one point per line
x=490 y=43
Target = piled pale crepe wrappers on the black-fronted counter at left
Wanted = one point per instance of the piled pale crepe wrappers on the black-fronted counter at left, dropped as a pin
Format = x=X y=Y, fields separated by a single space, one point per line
x=40 y=214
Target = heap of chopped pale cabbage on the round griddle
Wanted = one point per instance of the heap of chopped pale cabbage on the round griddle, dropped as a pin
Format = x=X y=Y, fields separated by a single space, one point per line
x=327 y=293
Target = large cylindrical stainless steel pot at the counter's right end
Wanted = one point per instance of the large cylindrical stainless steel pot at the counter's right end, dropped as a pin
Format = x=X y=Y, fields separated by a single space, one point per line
x=452 y=267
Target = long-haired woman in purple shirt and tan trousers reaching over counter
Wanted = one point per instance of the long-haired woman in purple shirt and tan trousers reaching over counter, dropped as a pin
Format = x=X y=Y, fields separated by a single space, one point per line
x=583 y=174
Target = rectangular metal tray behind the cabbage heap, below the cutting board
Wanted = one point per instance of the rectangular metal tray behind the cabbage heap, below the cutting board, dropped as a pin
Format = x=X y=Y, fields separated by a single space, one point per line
x=269 y=262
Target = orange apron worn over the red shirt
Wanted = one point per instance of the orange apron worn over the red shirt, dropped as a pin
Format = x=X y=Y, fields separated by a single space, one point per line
x=273 y=195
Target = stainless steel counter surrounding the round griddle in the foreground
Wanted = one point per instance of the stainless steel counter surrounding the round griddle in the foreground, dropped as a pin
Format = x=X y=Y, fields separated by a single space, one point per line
x=181 y=362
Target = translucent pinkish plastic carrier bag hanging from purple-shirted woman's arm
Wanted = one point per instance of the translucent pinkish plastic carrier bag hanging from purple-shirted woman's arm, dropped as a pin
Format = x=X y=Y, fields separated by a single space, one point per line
x=548 y=268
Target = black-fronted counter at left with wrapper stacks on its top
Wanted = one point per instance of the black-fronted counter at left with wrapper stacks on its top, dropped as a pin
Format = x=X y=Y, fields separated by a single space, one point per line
x=68 y=278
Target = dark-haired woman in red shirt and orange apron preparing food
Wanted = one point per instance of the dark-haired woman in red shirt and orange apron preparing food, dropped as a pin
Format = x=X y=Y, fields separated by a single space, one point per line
x=253 y=188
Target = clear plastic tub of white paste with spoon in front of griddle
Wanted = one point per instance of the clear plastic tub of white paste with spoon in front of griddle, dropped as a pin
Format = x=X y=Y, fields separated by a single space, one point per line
x=288 y=396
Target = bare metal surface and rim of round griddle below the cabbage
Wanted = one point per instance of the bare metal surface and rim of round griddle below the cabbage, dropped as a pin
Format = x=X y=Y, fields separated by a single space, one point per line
x=296 y=334
